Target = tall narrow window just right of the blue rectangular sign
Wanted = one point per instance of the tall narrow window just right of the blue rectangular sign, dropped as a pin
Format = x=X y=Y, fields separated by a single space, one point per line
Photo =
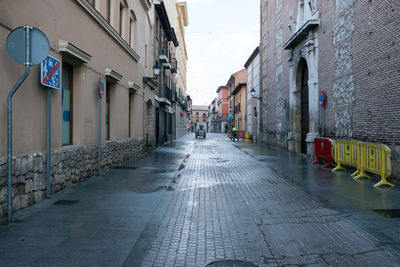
x=66 y=102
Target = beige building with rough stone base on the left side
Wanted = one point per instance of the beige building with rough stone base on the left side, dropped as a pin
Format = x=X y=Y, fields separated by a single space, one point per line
x=112 y=39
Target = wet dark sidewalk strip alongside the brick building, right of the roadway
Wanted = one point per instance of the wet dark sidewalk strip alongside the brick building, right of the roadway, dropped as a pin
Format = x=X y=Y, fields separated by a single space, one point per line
x=373 y=209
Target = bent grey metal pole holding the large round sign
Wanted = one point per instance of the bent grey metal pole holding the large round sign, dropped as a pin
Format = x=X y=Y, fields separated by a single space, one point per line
x=9 y=117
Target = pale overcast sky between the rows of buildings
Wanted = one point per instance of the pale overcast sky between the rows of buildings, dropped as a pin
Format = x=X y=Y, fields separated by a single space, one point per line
x=220 y=37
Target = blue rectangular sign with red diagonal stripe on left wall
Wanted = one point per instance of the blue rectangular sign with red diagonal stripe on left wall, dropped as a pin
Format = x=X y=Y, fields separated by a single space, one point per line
x=50 y=73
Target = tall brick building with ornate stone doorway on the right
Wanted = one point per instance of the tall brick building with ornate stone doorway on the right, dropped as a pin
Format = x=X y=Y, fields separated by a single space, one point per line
x=347 y=48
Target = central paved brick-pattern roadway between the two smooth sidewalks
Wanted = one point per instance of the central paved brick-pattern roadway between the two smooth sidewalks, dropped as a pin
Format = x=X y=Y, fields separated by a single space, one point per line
x=229 y=206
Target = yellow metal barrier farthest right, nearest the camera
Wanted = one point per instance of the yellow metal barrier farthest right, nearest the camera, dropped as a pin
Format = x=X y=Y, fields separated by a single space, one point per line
x=375 y=158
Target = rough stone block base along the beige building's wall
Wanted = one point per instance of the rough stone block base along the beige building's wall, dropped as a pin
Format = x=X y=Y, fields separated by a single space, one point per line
x=70 y=165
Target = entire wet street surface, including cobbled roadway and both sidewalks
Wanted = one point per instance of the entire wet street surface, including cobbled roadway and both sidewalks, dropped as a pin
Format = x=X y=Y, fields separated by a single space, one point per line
x=202 y=200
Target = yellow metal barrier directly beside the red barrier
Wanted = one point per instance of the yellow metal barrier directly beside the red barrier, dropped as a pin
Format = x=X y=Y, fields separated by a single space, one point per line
x=346 y=152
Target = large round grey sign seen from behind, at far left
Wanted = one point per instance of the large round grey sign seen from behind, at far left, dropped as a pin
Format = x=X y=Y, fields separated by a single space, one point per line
x=16 y=45
